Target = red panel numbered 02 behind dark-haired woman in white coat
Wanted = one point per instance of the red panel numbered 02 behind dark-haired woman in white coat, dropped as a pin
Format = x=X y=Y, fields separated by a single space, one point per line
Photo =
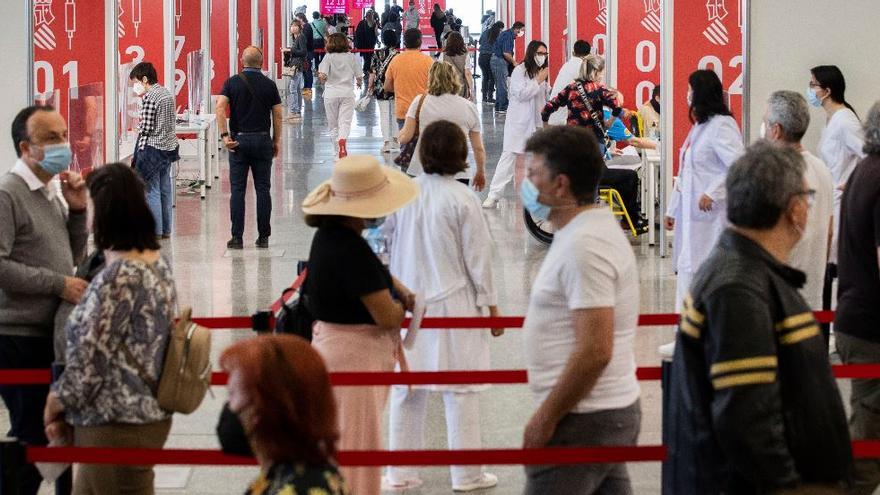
x=707 y=35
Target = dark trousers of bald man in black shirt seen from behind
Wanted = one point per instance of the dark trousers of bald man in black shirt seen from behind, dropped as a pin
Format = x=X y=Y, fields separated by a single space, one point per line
x=254 y=153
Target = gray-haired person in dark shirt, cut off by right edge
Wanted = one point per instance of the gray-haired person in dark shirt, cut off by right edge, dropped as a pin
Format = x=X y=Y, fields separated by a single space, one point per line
x=857 y=324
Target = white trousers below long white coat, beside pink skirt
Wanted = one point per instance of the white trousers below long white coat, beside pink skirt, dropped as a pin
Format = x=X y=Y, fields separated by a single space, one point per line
x=407 y=419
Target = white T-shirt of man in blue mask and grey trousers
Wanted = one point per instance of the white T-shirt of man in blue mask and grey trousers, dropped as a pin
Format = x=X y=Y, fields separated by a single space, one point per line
x=590 y=265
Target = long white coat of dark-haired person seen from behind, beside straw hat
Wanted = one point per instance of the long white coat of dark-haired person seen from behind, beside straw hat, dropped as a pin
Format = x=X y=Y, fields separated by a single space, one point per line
x=441 y=247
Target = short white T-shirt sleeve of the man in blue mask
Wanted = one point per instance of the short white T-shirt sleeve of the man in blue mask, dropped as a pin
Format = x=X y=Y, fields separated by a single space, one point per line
x=590 y=278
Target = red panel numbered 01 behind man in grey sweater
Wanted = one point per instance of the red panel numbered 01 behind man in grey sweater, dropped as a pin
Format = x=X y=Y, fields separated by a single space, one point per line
x=69 y=53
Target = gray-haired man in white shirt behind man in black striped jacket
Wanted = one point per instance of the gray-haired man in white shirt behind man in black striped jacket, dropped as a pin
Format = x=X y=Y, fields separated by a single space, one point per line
x=785 y=122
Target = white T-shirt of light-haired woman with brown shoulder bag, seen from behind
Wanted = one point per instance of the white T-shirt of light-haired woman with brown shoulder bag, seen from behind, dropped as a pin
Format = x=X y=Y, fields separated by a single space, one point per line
x=460 y=111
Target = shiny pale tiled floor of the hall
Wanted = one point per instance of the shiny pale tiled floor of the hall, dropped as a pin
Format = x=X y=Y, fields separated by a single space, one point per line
x=218 y=283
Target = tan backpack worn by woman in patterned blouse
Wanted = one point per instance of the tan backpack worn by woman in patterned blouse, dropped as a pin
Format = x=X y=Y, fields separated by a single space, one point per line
x=186 y=374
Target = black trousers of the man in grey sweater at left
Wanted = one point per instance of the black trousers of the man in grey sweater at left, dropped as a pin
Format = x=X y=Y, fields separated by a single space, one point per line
x=26 y=402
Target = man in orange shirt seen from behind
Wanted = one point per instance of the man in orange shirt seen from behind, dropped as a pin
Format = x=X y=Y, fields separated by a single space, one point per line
x=407 y=74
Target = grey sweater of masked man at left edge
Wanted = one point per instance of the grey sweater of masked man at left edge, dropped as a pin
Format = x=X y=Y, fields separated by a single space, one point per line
x=39 y=245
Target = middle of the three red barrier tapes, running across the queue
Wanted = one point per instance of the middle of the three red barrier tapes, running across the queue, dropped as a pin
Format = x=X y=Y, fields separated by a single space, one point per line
x=485 y=377
